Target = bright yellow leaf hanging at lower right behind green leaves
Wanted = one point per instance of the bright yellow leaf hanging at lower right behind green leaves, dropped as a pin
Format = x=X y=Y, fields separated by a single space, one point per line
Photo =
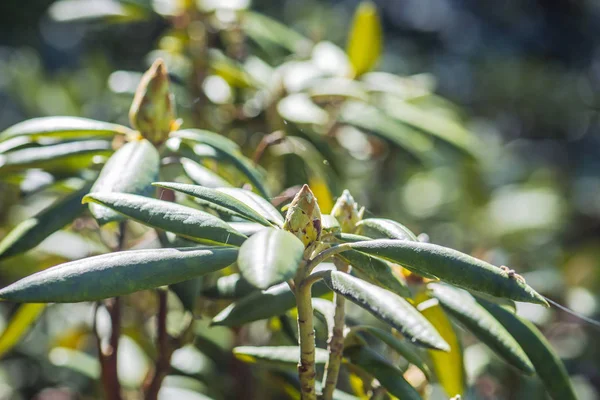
x=448 y=367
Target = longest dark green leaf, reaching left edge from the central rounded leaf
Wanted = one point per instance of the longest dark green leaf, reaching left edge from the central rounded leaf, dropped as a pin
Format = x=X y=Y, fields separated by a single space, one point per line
x=117 y=274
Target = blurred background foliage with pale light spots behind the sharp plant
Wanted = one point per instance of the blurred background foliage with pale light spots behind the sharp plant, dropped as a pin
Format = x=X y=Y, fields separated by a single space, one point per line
x=520 y=76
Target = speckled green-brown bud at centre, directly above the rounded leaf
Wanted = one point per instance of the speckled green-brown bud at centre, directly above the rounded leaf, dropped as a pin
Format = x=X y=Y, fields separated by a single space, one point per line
x=303 y=218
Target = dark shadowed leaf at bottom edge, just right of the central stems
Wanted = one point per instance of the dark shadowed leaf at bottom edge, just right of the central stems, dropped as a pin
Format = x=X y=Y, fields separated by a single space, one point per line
x=388 y=375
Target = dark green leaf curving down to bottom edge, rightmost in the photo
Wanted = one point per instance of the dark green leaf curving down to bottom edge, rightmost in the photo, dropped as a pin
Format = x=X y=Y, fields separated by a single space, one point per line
x=547 y=364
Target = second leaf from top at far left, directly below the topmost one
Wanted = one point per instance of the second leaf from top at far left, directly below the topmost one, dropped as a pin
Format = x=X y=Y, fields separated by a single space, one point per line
x=58 y=157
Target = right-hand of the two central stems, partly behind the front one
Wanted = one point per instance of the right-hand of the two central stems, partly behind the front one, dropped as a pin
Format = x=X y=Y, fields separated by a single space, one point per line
x=335 y=345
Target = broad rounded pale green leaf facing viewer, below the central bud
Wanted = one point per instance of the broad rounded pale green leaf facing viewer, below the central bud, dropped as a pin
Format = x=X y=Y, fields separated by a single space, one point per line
x=269 y=257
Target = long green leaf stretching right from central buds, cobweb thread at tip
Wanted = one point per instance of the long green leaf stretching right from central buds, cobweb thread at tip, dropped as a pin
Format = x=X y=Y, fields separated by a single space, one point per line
x=453 y=267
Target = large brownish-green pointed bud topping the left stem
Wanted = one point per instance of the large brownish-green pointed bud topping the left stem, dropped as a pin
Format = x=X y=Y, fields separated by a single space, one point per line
x=152 y=112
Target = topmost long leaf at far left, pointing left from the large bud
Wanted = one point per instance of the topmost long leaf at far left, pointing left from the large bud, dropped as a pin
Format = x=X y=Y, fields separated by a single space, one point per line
x=62 y=128
